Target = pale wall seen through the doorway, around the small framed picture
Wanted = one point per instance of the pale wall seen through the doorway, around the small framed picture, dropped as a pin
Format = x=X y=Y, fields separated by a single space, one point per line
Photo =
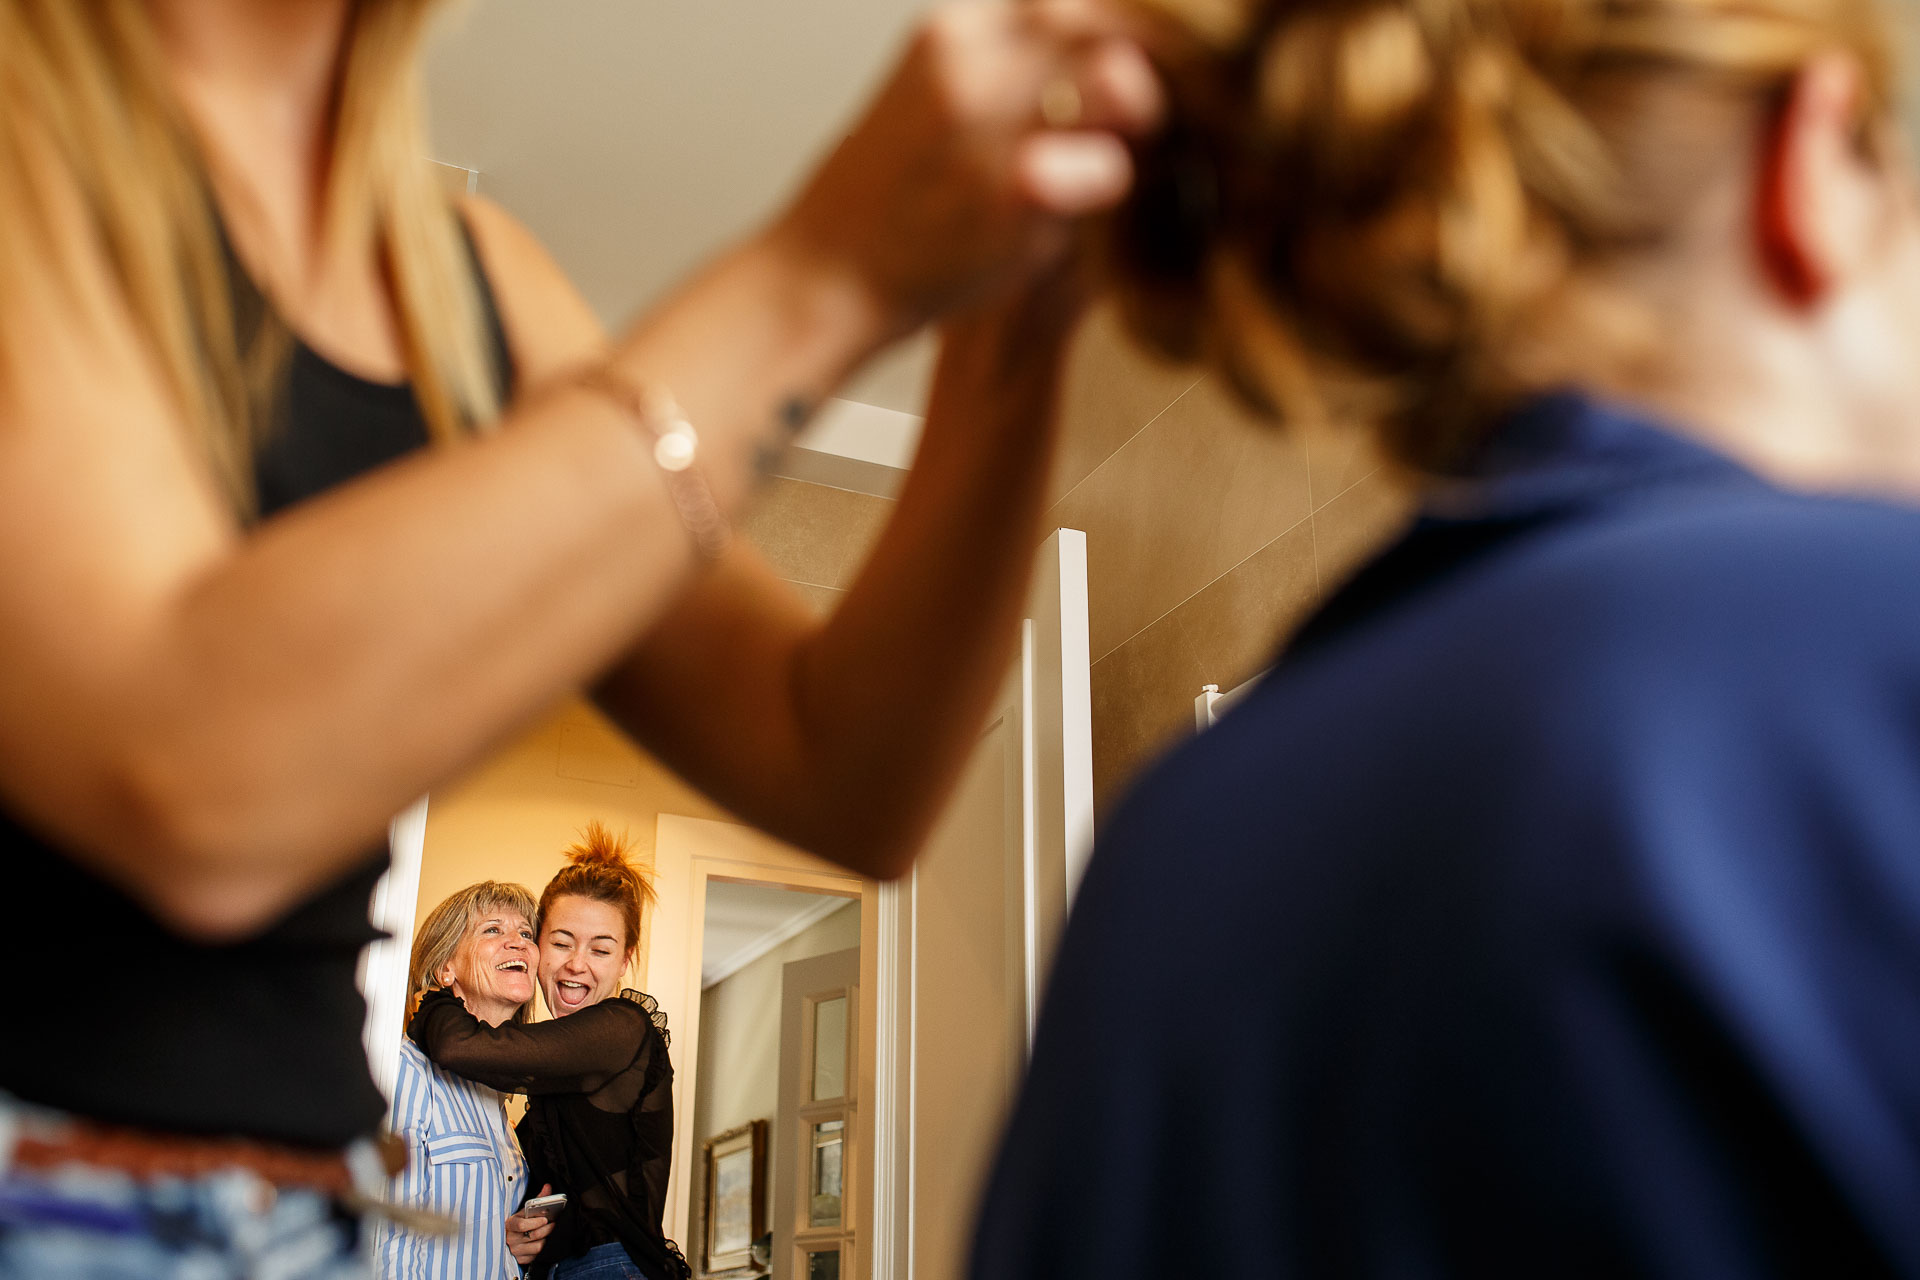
x=740 y=1049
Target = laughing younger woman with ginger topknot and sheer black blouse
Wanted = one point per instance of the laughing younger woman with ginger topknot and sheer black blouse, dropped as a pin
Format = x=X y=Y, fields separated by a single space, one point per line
x=600 y=1120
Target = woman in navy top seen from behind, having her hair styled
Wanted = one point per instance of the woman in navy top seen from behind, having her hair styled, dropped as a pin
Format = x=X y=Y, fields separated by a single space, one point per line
x=1554 y=907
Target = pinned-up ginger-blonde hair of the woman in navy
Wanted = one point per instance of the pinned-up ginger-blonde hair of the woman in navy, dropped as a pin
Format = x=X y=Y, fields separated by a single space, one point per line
x=1366 y=208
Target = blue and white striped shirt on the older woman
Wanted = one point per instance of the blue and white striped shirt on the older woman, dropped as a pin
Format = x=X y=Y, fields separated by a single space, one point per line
x=464 y=1164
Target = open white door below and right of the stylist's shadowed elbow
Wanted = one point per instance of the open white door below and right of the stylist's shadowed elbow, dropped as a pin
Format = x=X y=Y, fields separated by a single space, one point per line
x=972 y=930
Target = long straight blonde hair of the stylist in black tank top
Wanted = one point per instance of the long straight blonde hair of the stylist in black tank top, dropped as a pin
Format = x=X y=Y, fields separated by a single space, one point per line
x=85 y=82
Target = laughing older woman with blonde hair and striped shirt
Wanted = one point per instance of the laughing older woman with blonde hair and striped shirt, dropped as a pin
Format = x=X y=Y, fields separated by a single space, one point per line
x=464 y=1162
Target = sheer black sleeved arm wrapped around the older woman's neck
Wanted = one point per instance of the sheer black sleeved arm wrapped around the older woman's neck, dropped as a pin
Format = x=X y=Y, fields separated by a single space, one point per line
x=571 y=1055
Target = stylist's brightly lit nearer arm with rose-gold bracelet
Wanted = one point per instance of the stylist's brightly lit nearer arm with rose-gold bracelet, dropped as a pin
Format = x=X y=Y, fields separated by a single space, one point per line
x=222 y=723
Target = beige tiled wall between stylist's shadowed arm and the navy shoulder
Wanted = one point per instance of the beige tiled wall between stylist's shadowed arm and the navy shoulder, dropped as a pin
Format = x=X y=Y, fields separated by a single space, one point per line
x=1209 y=538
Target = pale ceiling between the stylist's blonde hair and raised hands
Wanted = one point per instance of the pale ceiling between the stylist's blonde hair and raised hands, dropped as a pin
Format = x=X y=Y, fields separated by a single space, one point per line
x=638 y=137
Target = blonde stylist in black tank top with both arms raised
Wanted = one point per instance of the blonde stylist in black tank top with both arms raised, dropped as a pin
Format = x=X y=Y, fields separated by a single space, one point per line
x=249 y=613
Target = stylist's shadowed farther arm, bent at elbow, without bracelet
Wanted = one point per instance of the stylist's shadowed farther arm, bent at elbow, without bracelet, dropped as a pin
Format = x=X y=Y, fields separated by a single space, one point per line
x=844 y=736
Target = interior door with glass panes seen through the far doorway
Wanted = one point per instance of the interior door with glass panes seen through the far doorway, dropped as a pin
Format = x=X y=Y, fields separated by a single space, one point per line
x=815 y=1200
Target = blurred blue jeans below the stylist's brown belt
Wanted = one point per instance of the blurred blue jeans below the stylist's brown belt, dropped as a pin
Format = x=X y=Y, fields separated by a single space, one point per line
x=82 y=1223
